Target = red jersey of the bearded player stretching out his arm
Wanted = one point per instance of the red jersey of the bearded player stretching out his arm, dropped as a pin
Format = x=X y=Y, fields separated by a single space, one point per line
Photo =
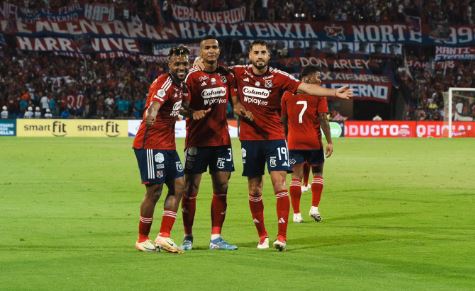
x=261 y=95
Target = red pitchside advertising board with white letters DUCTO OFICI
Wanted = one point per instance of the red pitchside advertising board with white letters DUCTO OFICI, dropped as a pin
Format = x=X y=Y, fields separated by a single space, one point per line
x=403 y=129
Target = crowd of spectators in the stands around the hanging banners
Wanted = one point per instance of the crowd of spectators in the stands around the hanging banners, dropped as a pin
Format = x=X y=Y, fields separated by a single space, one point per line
x=117 y=88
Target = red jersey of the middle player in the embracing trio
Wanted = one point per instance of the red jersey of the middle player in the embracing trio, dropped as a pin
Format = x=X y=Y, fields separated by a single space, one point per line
x=208 y=90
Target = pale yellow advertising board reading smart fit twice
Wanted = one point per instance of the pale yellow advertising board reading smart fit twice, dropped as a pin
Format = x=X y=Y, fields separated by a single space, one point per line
x=71 y=128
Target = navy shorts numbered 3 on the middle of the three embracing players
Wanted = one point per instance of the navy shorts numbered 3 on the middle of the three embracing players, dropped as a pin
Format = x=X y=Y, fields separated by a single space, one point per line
x=218 y=158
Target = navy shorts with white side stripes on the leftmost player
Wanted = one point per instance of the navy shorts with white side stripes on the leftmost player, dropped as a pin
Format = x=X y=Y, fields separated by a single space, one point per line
x=158 y=166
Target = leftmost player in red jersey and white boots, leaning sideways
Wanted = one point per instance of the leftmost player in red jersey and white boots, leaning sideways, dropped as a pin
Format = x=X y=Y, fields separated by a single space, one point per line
x=156 y=154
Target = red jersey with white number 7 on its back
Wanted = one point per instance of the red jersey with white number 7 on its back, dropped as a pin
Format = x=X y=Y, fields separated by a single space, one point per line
x=302 y=111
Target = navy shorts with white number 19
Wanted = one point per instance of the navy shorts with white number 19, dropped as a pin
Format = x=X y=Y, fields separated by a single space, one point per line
x=257 y=153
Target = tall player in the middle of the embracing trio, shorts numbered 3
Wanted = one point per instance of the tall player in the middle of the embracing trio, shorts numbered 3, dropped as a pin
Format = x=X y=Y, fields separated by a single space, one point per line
x=207 y=141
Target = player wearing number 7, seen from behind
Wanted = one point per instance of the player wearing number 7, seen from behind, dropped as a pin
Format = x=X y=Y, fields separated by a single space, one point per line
x=302 y=116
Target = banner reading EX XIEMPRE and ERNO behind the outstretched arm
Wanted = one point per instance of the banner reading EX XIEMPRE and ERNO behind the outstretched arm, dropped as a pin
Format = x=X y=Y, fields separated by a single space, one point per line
x=365 y=86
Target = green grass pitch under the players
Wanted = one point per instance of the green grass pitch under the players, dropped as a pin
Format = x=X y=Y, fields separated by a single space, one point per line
x=399 y=214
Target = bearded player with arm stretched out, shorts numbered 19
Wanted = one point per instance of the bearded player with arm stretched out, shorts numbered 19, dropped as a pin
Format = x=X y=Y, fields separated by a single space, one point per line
x=259 y=90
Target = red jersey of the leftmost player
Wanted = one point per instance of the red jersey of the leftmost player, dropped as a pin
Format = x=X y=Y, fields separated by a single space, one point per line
x=161 y=135
